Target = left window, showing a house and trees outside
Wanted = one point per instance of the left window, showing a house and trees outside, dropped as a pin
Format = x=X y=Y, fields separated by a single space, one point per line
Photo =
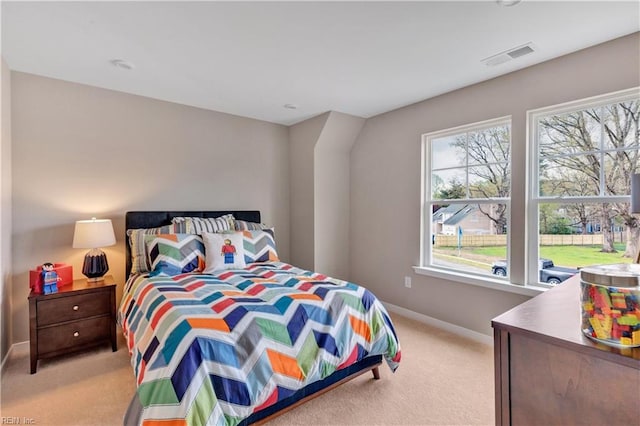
x=466 y=198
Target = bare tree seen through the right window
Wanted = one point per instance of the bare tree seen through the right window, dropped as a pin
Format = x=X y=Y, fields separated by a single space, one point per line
x=594 y=152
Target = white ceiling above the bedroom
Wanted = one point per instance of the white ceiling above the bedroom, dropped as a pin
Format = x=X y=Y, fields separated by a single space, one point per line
x=252 y=58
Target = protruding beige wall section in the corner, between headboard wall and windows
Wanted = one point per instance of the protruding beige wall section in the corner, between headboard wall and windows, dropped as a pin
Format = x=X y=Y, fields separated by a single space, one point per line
x=320 y=192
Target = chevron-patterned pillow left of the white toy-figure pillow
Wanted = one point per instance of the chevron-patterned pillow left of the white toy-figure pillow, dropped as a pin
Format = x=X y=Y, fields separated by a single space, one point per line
x=173 y=254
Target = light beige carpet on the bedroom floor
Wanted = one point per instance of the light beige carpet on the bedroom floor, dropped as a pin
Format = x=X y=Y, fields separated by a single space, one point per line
x=442 y=380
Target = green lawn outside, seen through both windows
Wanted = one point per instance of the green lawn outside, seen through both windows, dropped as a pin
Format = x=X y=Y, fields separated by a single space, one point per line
x=570 y=256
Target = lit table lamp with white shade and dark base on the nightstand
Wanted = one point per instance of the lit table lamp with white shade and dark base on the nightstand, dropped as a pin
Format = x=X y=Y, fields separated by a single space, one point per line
x=93 y=234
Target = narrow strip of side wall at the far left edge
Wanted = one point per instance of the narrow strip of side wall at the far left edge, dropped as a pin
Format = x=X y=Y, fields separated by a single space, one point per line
x=5 y=210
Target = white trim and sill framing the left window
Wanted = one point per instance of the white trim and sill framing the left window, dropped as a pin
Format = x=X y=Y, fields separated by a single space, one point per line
x=426 y=266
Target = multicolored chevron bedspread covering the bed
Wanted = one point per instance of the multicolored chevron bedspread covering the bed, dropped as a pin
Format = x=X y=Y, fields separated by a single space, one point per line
x=213 y=349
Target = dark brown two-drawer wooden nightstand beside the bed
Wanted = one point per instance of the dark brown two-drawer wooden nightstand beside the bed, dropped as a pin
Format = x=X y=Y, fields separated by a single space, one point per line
x=78 y=316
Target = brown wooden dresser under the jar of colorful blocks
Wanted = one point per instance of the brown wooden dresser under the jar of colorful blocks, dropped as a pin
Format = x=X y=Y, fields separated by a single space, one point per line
x=548 y=373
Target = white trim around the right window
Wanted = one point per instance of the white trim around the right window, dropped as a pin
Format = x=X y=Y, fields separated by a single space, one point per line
x=533 y=199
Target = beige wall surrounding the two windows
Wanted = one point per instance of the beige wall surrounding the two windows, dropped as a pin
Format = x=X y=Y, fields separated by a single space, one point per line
x=385 y=176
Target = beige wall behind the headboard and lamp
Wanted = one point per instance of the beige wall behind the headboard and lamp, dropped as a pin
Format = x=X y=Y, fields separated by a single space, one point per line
x=81 y=151
